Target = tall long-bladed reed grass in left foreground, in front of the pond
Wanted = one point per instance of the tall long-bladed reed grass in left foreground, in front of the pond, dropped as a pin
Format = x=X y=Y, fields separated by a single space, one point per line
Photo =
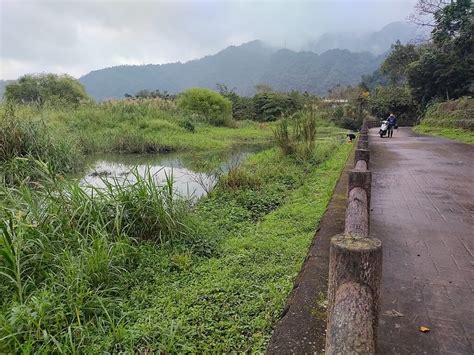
x=64 y=249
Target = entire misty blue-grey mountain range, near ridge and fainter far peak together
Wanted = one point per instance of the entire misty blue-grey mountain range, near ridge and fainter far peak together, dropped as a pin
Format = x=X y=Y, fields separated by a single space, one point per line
x=332 y=59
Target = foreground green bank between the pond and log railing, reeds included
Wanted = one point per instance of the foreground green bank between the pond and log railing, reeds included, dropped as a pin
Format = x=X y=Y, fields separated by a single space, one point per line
x=134 y=269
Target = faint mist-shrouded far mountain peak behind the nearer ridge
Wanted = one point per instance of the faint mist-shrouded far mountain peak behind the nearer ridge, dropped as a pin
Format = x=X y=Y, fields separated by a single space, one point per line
x=377 y=42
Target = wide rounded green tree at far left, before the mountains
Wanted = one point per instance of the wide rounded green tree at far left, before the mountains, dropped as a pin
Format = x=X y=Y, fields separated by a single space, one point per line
x=41 y=88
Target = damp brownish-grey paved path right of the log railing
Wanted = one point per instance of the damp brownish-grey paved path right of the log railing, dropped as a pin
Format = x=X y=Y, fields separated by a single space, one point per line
x=422 y=209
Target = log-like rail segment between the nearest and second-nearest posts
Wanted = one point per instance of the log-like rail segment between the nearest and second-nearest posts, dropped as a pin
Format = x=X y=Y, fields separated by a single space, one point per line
x=357 y=212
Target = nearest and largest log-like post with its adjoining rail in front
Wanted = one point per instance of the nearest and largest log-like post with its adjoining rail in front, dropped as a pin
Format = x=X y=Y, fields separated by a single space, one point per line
x=355 y=272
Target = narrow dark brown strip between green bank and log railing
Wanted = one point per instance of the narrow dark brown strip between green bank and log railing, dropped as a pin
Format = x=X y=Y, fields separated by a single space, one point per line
x=302 y=328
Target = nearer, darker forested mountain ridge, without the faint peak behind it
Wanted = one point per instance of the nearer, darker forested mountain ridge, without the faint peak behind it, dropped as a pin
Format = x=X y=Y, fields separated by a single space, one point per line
x=241 y=67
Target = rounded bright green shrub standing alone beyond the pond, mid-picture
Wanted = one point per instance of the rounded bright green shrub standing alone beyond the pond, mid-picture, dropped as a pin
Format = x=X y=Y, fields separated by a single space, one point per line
x=209 y=104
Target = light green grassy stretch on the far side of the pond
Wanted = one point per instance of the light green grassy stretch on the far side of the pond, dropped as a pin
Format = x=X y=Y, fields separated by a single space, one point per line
x=146 y=126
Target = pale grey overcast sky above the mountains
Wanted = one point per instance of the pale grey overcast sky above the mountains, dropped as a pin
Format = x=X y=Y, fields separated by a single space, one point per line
x=75 y=37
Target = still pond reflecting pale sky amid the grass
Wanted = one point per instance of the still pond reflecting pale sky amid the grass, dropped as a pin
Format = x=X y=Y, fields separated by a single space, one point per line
x=193 y=174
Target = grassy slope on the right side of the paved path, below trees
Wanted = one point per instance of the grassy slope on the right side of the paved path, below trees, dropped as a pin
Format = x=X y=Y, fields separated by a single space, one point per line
x=451 y=119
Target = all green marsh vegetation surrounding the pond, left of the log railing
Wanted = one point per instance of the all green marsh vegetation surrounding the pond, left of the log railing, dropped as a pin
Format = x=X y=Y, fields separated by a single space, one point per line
x=135 y=267
